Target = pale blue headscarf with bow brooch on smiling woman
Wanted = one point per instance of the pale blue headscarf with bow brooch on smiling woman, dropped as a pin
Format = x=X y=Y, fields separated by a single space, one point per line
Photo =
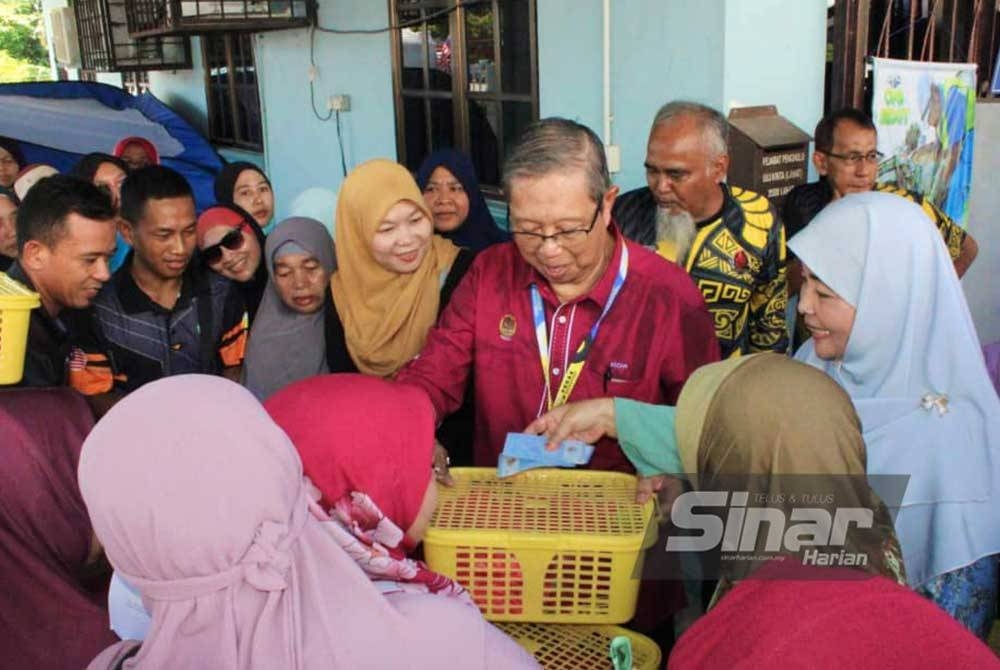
x=914 y=369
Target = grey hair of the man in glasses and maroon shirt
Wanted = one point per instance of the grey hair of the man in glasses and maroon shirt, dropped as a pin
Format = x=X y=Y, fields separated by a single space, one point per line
x=555 y=145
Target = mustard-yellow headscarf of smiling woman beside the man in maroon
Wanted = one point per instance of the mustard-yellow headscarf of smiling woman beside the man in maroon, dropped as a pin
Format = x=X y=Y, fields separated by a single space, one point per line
x=386 y=315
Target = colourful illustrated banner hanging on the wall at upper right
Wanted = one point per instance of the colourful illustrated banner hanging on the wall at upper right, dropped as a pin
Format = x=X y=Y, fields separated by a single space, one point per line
x=925 y=114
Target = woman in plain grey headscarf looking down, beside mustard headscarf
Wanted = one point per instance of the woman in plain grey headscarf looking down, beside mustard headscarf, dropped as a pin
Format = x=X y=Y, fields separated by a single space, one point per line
x=287 y=341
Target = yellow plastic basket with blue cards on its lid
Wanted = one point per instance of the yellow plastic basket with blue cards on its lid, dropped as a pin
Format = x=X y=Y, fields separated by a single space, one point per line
x=544 y=546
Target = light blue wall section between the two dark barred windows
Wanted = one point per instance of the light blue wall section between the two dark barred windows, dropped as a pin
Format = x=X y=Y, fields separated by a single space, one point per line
x=301 y=150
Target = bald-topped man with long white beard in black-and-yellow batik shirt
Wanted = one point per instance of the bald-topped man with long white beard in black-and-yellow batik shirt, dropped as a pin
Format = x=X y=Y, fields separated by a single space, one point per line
x=728 y=239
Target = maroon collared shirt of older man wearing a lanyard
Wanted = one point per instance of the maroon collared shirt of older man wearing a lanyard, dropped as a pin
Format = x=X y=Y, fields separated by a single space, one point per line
x=656 y=333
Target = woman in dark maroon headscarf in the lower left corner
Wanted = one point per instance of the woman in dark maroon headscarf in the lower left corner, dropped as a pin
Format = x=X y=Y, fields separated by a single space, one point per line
x=49 y=618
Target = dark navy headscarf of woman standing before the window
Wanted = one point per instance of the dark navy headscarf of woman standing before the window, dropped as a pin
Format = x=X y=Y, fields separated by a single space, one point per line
x=479 y=230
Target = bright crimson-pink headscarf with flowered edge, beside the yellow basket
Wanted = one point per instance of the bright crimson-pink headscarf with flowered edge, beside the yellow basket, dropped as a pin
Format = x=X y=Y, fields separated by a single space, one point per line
x=370 y=460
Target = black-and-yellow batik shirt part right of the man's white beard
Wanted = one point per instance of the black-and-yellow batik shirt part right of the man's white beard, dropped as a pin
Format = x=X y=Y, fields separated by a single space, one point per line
x=738 y=263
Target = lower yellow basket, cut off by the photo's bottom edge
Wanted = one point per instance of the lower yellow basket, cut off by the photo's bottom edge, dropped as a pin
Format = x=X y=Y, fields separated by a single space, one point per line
x=562 y=646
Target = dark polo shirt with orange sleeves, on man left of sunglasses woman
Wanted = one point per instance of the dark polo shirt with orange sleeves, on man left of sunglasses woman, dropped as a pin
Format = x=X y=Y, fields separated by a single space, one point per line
x=140 y=341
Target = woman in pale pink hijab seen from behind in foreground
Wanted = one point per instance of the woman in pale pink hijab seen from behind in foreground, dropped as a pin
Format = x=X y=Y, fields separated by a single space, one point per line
x=200 y=502
